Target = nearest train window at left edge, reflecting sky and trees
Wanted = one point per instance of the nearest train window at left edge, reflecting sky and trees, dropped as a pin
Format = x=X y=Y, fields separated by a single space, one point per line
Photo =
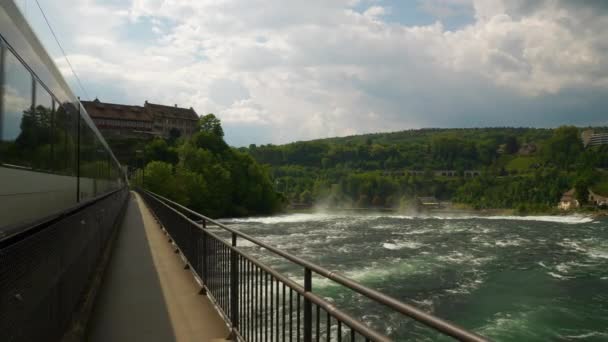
x=17 y=112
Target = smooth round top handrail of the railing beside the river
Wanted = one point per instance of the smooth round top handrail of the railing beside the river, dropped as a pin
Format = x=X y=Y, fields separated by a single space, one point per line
x=429 y=320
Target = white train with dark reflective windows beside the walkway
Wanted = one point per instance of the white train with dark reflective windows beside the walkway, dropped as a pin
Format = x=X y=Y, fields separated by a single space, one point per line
x=52 y=156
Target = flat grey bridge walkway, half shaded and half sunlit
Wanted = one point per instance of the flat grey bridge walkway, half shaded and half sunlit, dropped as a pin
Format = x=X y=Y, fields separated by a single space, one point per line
x=145 y=294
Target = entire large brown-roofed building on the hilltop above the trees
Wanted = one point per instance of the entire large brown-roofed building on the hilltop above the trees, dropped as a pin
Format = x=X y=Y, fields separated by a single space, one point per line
x=126 y=121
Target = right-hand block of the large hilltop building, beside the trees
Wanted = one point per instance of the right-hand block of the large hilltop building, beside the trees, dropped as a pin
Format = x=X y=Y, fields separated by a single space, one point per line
x=172 y=118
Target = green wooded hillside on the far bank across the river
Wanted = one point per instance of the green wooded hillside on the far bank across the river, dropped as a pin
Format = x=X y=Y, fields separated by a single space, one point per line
x=520 y=168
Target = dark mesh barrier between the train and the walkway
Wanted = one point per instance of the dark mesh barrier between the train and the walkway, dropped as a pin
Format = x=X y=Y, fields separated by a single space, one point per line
x=46 y=268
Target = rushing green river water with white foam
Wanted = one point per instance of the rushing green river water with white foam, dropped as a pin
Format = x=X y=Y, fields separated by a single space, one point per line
x=507 y=278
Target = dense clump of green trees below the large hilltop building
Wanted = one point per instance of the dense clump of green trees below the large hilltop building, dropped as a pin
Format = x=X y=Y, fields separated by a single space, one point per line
x=207 y=175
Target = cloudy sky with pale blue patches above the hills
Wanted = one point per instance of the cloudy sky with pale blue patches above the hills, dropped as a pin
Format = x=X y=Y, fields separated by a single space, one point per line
x=277 y=71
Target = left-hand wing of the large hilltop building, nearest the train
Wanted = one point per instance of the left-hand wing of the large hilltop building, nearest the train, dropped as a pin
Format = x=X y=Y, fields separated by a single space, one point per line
x=119 y=121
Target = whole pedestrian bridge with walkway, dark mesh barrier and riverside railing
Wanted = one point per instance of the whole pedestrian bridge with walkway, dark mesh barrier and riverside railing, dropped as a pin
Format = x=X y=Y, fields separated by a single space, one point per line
x=135 y=266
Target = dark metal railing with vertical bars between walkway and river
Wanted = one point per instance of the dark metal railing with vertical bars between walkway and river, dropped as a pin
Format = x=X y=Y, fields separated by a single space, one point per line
x=261 y=304
